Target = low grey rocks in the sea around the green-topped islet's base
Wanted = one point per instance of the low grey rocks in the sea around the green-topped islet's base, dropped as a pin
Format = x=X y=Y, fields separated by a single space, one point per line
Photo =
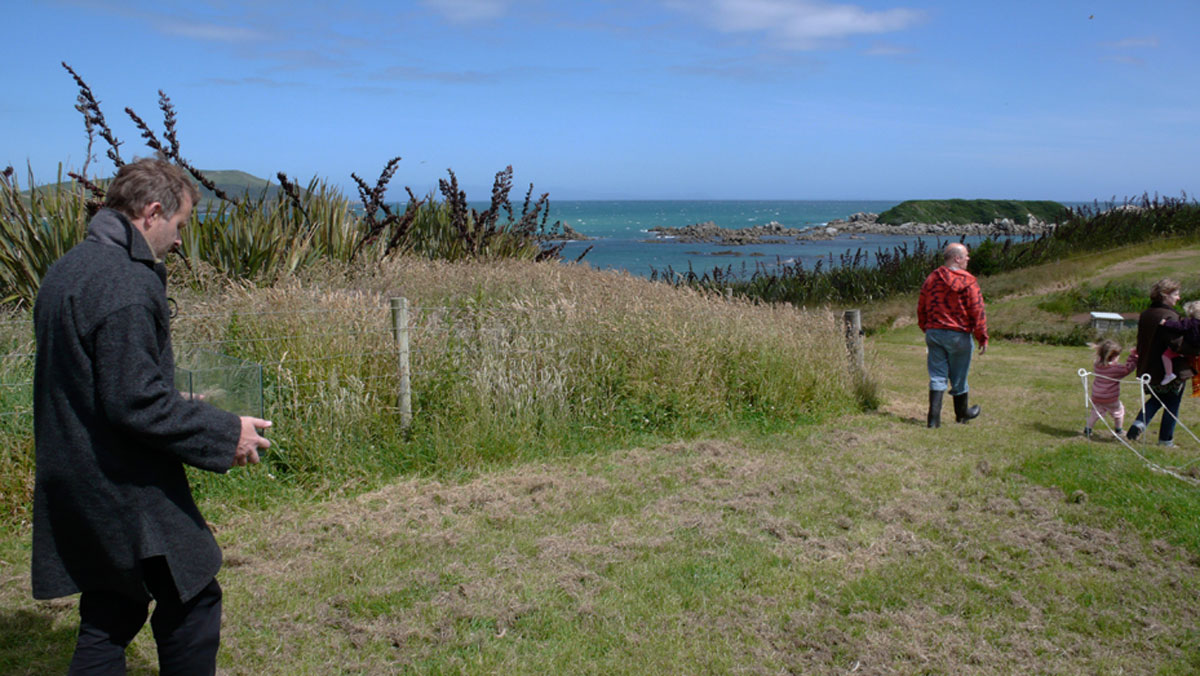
x=857 y=225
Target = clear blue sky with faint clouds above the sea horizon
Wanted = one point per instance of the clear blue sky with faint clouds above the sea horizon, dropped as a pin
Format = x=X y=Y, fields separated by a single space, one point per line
x=633 y=99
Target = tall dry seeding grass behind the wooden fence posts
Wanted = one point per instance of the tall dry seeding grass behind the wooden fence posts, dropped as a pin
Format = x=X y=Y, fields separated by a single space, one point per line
x=511 y=361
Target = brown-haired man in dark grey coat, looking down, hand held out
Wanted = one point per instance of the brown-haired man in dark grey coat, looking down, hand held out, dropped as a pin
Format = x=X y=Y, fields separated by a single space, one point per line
x=113 y=513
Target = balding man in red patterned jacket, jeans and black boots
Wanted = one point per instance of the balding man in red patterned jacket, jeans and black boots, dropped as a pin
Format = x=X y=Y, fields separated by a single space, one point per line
x=951 y=312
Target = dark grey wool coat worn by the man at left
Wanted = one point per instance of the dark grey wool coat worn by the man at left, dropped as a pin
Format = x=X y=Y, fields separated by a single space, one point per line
x=112 y=432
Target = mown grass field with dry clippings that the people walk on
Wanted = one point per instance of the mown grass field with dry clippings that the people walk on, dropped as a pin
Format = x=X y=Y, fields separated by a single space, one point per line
x=863 y=543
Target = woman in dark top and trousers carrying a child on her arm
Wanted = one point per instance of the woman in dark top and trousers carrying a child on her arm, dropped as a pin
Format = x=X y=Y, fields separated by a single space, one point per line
x=1153 y=343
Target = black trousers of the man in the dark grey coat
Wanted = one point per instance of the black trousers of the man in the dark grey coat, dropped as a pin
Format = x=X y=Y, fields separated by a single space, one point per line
x=188 y=635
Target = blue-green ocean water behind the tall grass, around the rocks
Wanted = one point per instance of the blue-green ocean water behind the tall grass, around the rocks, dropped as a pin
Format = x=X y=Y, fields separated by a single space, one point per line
x=622 y=240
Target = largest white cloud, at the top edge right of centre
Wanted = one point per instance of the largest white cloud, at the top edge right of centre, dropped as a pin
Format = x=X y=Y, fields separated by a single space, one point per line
x=799 y=25
